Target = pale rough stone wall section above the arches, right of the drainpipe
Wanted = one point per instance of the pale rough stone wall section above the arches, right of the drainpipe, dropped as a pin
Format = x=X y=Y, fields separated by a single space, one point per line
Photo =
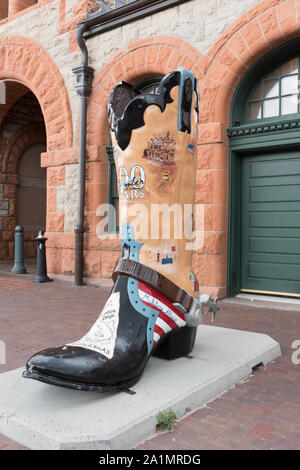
x=198 y=22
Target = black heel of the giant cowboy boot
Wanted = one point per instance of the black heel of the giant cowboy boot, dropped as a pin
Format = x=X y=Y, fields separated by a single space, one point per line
x=177 y=344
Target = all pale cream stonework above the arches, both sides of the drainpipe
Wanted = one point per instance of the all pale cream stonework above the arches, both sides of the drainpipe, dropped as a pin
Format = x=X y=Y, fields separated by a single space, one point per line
x=198 y=22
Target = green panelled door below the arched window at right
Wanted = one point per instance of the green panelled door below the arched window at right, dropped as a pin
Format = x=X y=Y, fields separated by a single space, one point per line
x=270 y=234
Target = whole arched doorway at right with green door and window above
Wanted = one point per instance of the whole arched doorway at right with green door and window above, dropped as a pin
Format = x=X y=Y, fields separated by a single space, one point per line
x=264 y=239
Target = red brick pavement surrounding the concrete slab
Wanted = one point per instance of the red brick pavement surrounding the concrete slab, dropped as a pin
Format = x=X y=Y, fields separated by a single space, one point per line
x=263 y=412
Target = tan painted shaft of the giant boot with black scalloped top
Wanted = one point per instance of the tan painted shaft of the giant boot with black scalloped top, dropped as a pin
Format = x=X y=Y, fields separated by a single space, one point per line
x=155 y=149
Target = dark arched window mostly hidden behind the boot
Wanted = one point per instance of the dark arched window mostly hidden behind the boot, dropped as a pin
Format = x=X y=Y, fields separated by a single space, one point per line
x=150 y=85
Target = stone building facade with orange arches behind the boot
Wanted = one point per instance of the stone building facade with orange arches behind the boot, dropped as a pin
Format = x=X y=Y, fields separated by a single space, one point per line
x=245 y=55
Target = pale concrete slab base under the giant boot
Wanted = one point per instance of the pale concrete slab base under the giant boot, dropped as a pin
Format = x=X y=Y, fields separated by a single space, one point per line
x=41 y=416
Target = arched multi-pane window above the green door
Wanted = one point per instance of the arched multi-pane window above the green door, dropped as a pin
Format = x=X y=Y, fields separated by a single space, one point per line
x=276 y=94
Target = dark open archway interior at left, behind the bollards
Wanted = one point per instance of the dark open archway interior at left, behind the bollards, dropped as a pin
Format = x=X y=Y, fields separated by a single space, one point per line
x=23 y=139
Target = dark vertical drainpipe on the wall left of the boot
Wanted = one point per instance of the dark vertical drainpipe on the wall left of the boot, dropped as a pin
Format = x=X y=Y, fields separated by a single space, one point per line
x=84 y=78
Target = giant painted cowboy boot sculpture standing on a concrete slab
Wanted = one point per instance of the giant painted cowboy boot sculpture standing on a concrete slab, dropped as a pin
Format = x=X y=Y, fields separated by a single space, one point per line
x=154 y=307
